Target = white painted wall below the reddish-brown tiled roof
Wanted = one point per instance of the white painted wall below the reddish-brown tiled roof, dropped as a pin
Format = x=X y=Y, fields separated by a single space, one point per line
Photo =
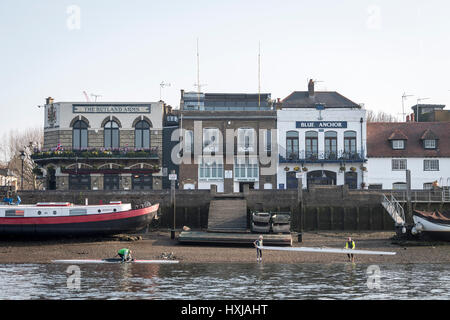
x=380 y=172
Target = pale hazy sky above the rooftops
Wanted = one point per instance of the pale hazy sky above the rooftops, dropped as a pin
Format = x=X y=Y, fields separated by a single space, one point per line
x=369 y=51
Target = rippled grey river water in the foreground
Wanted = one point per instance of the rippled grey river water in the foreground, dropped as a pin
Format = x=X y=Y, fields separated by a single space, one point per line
x=225 y=281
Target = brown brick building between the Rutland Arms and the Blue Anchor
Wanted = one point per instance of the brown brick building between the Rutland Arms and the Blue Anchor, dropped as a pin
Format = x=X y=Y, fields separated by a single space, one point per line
x=227 y=141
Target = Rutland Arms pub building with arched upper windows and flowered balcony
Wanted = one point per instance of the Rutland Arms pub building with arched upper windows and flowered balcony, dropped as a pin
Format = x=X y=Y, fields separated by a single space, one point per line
x=102 y=145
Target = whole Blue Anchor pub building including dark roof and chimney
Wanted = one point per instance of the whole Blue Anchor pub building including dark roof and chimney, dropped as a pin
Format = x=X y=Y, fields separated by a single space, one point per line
x=322 y=139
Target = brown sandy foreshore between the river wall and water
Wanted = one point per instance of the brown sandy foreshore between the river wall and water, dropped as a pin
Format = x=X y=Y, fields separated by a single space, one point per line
x=154 y=244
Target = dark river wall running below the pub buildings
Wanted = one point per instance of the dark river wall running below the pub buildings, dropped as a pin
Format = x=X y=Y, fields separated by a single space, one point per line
x=320 y=208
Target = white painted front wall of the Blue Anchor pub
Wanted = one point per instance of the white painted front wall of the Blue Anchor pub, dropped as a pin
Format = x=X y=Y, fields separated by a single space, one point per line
x=355 y=121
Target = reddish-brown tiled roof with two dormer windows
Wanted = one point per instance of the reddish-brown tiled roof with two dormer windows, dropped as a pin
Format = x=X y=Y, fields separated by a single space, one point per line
x=378 y=134
